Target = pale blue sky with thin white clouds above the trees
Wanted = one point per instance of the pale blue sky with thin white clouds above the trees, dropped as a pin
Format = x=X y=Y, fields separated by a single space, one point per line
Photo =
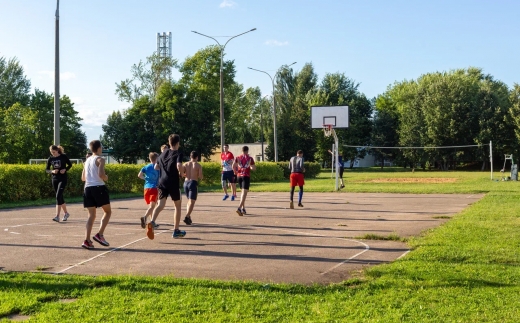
x=373 y=42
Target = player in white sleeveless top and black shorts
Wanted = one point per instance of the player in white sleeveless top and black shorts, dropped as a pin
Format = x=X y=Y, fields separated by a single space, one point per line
x=95 y=194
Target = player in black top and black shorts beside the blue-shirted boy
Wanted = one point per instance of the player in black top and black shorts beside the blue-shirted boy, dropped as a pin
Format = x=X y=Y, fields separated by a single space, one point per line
x=170 y=165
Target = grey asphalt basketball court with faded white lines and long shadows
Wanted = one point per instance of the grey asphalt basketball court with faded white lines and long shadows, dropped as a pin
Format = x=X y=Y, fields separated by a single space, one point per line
x=272 y=243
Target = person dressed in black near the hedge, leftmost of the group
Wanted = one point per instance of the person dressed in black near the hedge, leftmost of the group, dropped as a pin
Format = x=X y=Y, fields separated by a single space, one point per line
x=58 y=165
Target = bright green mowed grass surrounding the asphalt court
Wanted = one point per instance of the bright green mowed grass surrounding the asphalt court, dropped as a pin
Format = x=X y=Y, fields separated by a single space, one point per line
x=467 y=270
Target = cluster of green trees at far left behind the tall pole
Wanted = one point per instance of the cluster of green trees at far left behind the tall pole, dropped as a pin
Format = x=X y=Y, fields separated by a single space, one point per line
x=27 y=119
